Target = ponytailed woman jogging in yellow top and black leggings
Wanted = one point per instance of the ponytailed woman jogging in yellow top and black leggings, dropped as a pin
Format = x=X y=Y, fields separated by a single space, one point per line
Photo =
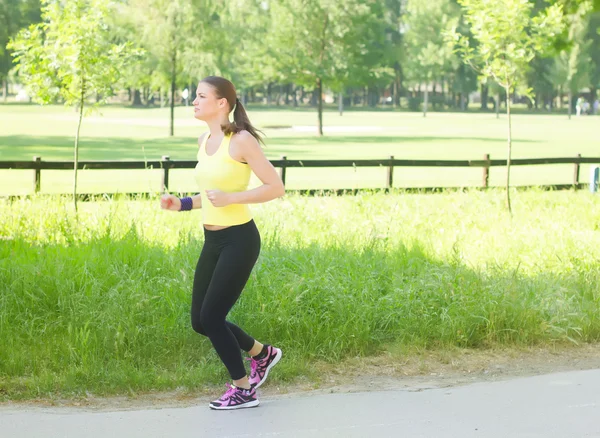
x=226 y=156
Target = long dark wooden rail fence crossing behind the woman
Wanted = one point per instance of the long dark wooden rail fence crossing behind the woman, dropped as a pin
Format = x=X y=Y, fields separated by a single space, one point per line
x=37 y=165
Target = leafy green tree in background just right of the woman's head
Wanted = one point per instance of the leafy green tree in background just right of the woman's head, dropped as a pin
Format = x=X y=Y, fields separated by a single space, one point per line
x=319 y=43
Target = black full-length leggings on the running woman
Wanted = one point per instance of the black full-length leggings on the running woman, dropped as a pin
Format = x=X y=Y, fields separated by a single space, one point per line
x=224 y=266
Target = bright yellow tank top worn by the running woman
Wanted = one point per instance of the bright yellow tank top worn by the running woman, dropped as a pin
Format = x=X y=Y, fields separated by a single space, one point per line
x=221 y=172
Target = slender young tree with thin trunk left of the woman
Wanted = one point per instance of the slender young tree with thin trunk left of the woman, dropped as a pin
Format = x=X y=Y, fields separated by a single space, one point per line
x=70 y=56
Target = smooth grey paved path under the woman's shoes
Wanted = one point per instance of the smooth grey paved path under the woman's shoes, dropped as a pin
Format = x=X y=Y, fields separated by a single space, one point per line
x=562 y=405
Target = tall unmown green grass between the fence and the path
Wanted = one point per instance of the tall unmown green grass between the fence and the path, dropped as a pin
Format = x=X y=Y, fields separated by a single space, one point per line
x=99 y=302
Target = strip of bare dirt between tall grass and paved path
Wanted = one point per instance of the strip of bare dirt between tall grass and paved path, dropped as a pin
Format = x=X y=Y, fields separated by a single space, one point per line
x=417 y=371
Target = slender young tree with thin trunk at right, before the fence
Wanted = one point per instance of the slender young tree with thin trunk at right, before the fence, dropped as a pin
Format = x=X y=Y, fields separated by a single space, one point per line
x=508 y=39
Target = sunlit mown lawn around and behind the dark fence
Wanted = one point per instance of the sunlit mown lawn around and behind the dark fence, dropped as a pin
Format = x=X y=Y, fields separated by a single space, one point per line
x=131 y=134
